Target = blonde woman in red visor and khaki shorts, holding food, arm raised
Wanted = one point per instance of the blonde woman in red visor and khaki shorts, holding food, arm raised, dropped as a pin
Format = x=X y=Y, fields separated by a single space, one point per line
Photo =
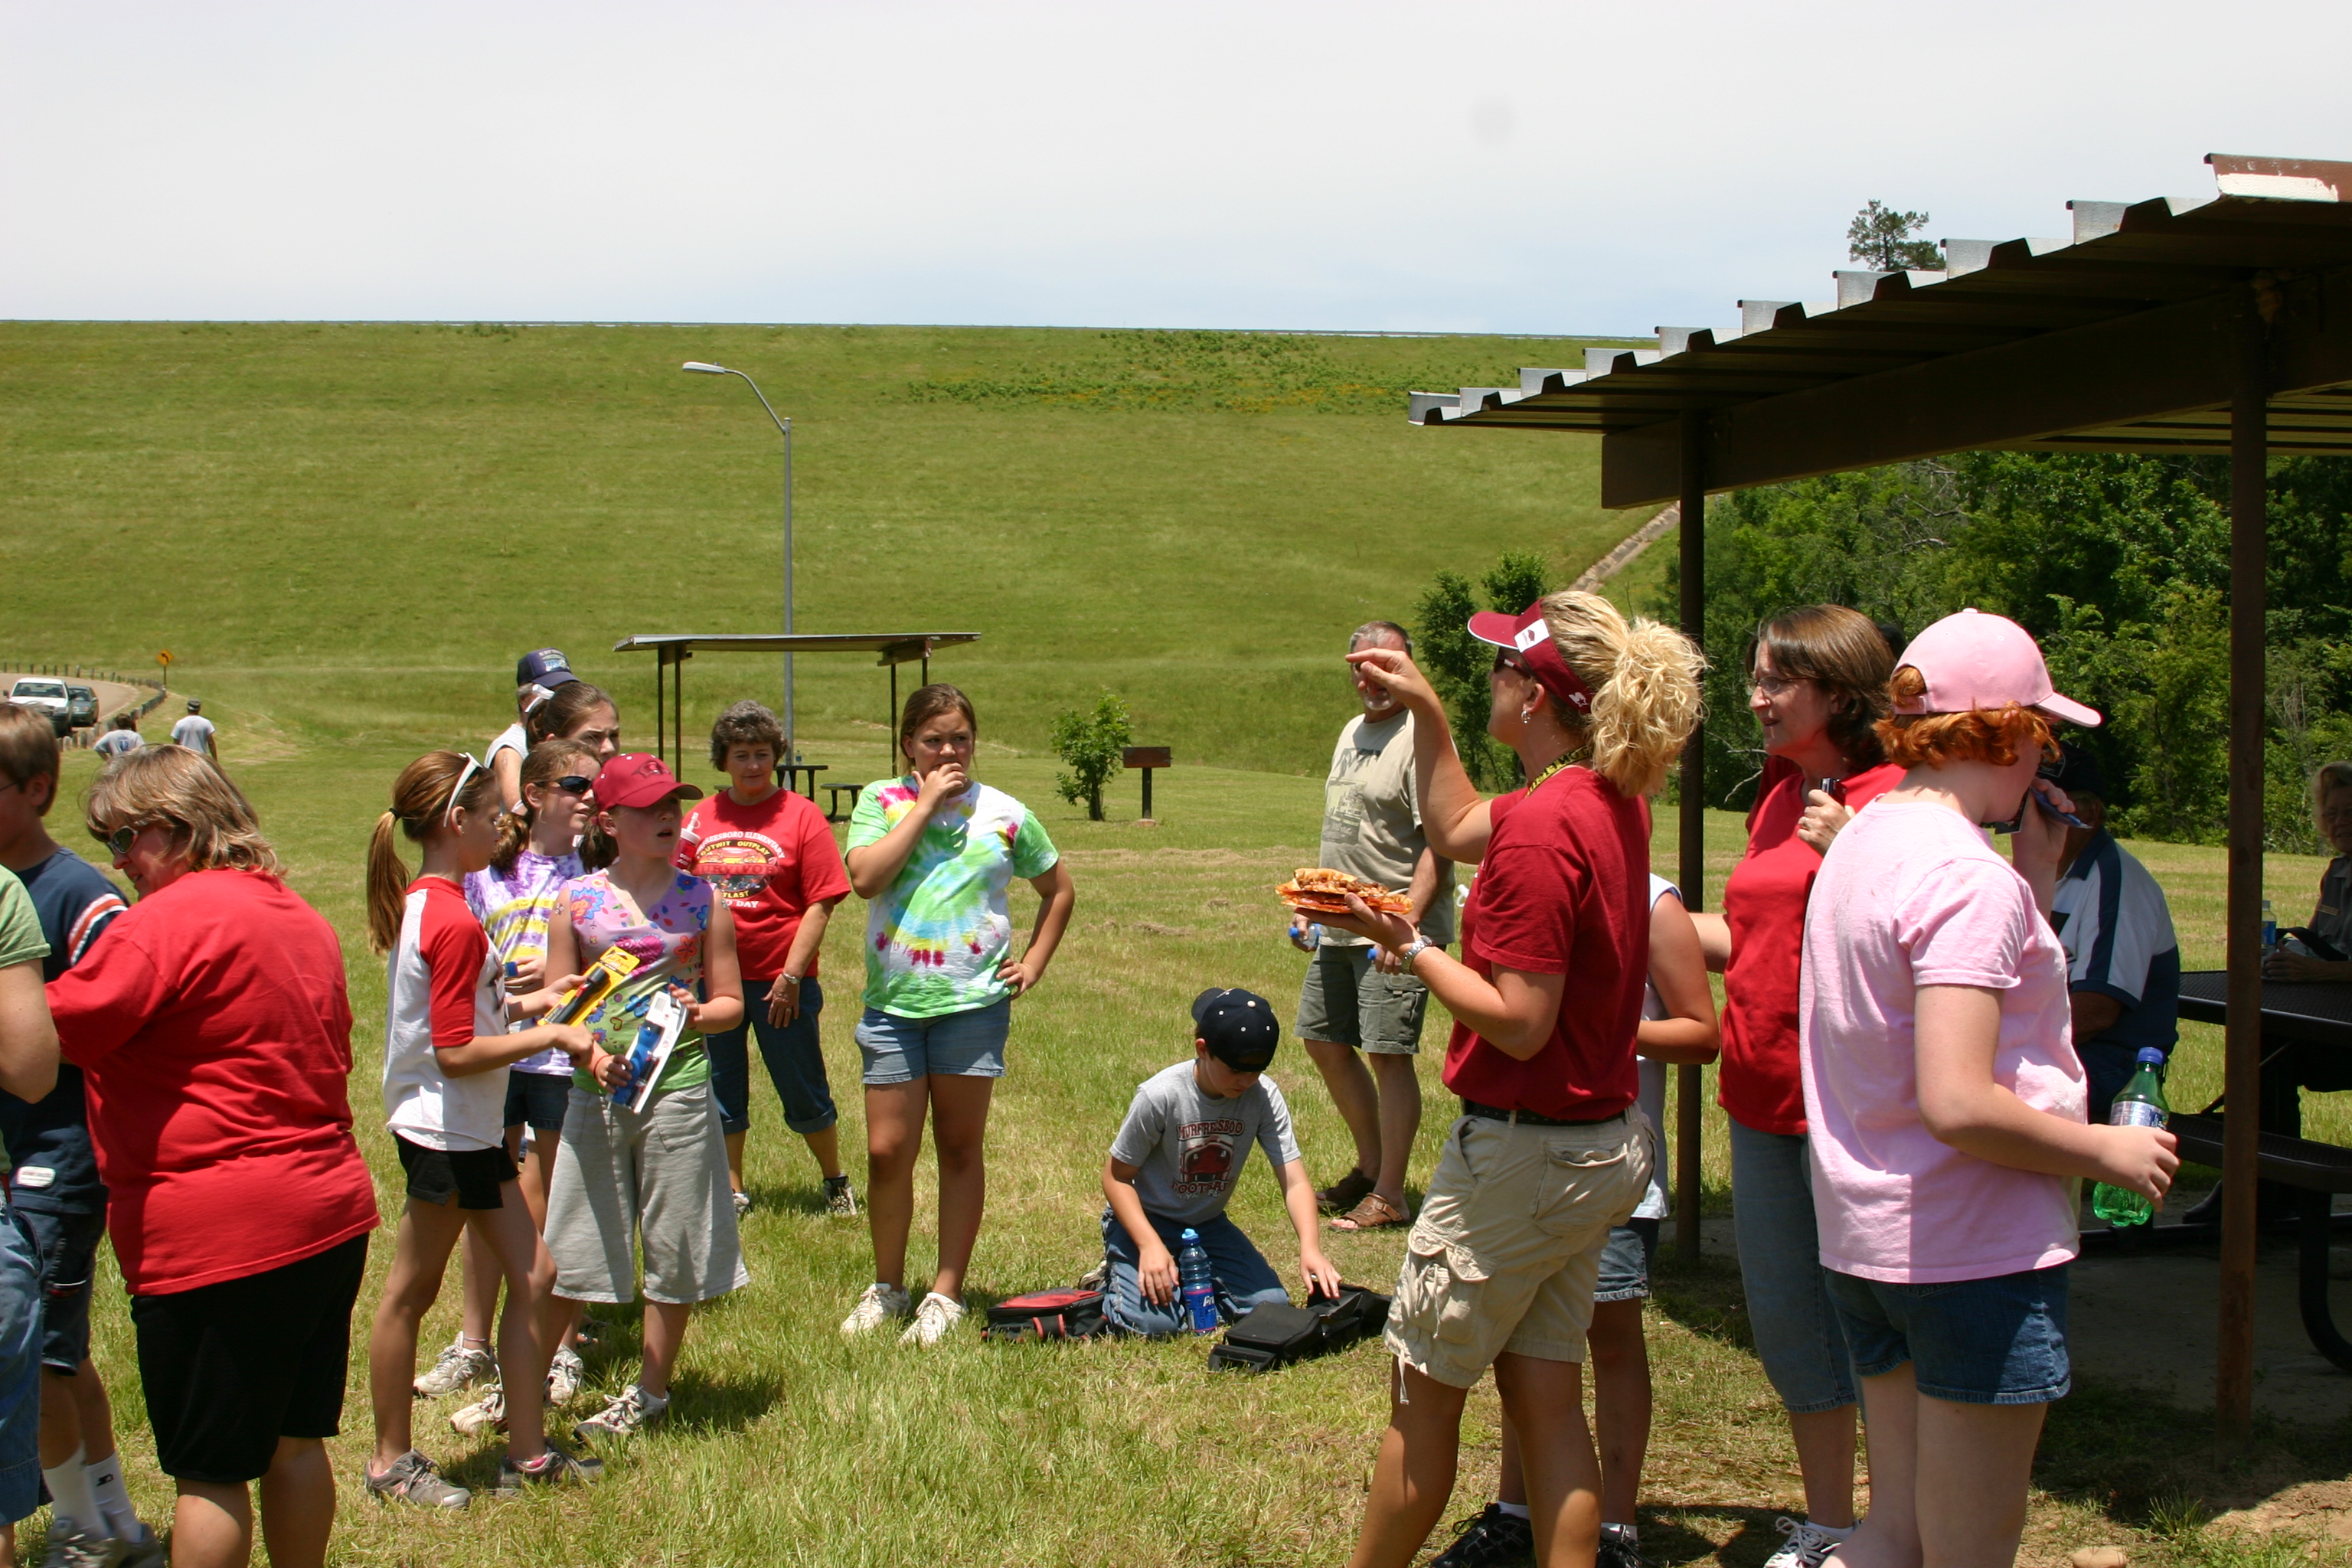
x=1549 y=1151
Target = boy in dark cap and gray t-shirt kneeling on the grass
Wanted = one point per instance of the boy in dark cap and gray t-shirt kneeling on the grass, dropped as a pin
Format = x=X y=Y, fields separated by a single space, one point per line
x=1175 y=1162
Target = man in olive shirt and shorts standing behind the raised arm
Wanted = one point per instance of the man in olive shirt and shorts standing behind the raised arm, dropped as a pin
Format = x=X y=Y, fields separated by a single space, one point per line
x=1354 y=998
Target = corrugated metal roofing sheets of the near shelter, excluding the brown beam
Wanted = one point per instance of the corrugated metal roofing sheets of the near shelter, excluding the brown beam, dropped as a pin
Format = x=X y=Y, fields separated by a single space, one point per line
x=2271 y=222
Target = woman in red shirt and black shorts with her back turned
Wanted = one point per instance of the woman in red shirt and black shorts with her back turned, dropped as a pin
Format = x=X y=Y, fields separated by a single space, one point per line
x=215 y=1033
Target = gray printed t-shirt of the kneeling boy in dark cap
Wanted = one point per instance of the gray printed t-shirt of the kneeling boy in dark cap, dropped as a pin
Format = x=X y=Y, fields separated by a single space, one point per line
x=1189 y=1148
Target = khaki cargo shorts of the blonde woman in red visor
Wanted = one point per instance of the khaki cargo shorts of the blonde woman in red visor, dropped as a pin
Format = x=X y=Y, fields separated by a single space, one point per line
x=1509 y=1245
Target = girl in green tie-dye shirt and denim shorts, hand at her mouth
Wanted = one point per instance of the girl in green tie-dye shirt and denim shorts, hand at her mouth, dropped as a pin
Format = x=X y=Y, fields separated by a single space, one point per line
x=935 y=857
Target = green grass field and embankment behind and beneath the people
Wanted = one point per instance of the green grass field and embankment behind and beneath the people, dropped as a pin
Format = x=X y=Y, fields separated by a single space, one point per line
x=349 y=532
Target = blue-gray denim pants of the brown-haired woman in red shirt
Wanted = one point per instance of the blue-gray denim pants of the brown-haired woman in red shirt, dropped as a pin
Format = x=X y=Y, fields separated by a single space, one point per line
x=1789 y=1301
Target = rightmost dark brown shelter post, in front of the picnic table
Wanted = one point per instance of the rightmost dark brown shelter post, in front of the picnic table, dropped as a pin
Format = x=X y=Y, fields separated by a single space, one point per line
x=2243 y=1073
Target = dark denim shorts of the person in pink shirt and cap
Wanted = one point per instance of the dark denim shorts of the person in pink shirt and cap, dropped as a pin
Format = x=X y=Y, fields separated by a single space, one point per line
x=1972 y=1341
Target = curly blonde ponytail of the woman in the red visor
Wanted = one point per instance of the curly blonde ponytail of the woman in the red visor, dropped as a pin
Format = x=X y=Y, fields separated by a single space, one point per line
x=1645 y=688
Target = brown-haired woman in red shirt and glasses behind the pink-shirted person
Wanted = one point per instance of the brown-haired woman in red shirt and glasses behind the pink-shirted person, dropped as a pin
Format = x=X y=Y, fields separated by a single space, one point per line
x=1817 y=685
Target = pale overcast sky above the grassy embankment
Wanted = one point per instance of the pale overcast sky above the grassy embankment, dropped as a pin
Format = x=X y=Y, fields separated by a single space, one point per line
x=1438 y=166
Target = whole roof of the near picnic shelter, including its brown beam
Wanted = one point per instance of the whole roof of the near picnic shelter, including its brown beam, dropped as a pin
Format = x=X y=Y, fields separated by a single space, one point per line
x=2113 y=340
